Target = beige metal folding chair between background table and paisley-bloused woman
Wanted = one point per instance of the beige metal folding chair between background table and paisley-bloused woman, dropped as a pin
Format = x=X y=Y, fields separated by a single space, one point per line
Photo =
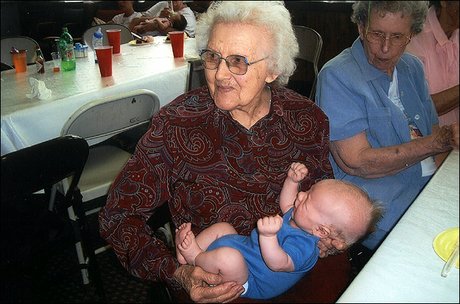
x=99 y=121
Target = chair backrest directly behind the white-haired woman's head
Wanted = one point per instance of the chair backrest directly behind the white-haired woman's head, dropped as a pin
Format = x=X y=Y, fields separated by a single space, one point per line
x=310 y=45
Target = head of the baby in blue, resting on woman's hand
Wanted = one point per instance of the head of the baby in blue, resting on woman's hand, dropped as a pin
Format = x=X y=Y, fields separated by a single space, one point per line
x=336 y=209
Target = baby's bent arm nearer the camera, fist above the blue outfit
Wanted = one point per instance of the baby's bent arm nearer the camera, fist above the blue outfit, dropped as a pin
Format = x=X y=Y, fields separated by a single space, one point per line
x=274 y=256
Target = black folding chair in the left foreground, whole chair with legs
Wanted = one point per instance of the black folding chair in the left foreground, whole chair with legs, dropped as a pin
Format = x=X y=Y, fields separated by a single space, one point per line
x=27 y=225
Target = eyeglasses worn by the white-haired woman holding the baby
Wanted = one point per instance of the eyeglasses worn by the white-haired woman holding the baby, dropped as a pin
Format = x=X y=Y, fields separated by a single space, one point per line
x=237 y=64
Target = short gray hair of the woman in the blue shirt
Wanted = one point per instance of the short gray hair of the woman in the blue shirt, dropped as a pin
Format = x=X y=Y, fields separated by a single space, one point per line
x=416 y=9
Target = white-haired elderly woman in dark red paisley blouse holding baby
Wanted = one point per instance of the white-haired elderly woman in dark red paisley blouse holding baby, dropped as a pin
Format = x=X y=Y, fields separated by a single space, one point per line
x=219 y=153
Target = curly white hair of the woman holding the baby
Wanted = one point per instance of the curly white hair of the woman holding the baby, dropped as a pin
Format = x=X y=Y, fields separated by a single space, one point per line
x=271 y=15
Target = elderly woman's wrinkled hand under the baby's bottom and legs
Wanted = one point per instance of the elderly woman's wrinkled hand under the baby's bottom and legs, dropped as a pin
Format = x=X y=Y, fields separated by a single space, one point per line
x=206 y=287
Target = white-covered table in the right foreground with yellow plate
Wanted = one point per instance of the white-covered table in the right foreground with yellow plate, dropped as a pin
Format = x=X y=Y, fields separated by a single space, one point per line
x=405 y=268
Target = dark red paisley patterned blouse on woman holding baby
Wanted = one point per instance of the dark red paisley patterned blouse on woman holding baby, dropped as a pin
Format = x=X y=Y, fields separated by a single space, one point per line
x=209 y=169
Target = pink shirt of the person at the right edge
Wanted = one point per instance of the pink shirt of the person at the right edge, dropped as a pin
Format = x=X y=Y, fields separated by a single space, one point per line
x=439 y=55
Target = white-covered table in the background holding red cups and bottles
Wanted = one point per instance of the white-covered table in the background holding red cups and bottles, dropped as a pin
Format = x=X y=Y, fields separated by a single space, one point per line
x=25 y=122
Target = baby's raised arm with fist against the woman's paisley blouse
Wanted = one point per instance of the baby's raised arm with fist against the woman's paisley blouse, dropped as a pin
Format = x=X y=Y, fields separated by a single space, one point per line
x=297 y=172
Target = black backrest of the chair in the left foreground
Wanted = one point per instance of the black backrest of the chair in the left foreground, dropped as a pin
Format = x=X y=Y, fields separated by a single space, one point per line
x=34 y=168
